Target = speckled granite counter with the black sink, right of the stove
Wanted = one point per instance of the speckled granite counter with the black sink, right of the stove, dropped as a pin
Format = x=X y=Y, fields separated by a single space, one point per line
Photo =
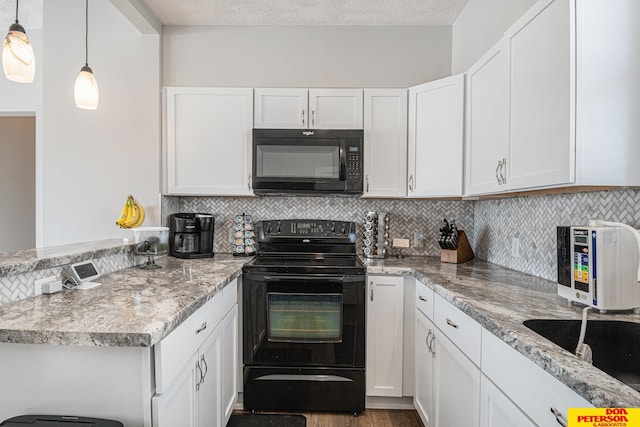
x=500 y=300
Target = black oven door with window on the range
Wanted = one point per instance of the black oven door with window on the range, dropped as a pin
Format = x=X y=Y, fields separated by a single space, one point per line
x=307 y=320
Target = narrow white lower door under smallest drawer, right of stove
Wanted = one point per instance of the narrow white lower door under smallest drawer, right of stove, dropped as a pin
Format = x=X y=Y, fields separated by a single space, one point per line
x=423 y=370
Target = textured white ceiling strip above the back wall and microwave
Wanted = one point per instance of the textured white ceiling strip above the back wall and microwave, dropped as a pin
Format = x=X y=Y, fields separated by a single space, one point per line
x=306 y=12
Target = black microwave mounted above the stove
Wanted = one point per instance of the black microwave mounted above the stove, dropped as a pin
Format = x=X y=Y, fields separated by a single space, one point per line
x=307 y=161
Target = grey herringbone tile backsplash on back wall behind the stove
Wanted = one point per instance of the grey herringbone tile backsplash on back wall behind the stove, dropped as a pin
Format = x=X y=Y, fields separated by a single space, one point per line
x=406 y=216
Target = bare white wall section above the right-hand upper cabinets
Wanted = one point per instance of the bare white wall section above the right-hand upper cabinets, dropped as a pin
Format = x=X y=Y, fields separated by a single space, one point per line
x=479 y=26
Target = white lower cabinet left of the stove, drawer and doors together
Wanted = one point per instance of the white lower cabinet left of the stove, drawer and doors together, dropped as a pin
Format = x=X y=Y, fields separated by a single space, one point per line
x=203 y=392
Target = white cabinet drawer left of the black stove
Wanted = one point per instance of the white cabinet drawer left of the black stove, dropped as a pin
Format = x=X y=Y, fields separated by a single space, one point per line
x=176 y=348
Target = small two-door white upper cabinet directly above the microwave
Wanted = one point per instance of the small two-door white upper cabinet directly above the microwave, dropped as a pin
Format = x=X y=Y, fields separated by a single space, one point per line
x=281 y=108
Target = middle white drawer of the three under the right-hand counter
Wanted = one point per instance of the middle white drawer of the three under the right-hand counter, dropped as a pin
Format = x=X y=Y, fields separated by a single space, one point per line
x=462 y=330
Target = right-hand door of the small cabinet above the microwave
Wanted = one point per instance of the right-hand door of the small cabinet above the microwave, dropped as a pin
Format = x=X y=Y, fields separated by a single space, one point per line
x=335 y=108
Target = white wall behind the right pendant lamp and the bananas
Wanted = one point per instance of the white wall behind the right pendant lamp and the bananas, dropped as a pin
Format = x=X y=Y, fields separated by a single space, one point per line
x=91 y=160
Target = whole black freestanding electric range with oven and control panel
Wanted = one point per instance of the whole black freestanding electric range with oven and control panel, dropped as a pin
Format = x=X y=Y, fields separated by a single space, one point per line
x=304 y=318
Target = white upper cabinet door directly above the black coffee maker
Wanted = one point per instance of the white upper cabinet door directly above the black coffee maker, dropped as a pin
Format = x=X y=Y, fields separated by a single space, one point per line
x=208 y=141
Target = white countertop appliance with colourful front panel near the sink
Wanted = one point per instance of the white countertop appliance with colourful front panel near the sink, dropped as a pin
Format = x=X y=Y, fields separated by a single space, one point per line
x=598 y=266
